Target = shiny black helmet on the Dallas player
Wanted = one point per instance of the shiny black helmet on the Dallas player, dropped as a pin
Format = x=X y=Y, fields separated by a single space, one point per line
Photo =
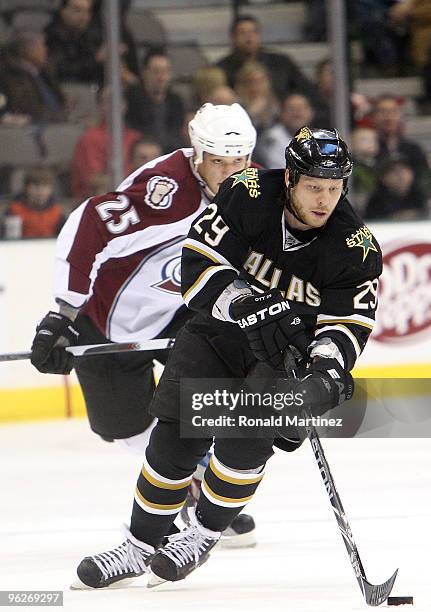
x=319 y=153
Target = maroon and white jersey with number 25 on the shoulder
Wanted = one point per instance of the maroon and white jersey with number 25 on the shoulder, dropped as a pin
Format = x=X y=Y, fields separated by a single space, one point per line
x=118 y=255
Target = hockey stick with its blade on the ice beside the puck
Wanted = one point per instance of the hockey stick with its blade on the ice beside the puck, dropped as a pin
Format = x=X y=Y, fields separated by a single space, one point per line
x=374 y=594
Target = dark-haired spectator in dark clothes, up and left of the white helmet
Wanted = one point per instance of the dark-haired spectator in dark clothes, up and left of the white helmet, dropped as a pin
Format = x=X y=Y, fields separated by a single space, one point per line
x=153 y=108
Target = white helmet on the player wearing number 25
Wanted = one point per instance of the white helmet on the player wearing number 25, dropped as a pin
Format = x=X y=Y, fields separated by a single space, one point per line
x=222 y=130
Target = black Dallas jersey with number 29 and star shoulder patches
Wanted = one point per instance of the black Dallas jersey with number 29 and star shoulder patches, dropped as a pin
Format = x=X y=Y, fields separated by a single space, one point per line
x=330 y=273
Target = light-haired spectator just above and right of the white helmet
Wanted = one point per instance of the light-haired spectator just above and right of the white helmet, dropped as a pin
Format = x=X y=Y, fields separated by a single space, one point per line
x=254 y=89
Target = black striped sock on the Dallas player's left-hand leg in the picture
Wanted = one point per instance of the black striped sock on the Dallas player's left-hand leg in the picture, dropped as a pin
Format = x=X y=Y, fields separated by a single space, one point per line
x=157 y=502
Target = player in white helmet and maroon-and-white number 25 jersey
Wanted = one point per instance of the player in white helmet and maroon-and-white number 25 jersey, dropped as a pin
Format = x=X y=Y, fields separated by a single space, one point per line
x=118 y=275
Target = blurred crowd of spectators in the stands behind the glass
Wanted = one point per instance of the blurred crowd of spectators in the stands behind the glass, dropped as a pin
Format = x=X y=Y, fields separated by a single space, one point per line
x=39 y=68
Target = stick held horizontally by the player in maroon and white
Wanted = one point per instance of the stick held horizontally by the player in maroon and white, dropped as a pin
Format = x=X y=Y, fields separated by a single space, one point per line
x=103 y=349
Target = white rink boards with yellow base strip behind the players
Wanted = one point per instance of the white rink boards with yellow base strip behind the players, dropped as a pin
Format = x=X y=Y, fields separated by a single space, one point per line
x=400 y=346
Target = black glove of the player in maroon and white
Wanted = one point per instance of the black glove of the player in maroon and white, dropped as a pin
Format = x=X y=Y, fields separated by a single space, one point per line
x=45 y=355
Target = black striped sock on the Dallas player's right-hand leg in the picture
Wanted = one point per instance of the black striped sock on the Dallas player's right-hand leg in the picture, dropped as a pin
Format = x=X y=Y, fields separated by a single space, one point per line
x=224 y=493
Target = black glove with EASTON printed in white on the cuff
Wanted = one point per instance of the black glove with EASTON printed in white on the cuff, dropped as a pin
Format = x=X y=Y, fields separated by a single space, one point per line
x=271 y=326
